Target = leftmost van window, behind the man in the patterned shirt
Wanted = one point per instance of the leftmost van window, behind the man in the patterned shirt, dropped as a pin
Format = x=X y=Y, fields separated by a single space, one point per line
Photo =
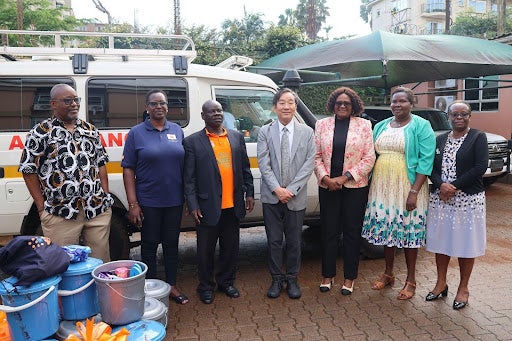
x=26 y=101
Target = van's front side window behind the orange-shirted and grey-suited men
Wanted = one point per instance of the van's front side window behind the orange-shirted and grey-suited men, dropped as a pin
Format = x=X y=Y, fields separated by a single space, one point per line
x=246 y=110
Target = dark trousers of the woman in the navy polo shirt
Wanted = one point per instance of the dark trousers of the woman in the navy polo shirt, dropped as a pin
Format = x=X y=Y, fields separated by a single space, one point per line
x=161 y=225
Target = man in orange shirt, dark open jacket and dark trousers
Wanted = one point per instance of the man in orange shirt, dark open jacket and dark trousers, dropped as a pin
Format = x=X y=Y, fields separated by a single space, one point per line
x=218 y=190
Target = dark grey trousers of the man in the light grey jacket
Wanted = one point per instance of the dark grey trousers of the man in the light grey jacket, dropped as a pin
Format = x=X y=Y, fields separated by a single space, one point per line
x=284 y=230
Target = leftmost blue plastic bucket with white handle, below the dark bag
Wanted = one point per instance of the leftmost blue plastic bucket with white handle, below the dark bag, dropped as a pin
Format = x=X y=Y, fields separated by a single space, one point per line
x=33 y=310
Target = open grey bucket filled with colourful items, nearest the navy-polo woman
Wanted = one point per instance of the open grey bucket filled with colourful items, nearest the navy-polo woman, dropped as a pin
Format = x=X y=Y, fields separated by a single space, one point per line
x=121 y=300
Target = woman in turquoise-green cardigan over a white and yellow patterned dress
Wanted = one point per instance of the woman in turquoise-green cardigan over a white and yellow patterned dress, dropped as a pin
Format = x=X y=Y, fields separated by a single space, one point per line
x=398 y=200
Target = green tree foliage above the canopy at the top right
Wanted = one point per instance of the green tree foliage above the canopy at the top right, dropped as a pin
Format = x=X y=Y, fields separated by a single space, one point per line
x=477 y=25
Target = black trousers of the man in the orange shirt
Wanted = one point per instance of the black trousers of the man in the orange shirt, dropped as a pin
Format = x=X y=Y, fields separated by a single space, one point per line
x=227 y=232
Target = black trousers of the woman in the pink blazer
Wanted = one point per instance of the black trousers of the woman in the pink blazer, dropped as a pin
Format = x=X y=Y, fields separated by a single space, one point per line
x=342 y=212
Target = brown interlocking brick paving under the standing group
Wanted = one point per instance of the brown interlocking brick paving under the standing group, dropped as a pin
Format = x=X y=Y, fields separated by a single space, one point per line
x=366 y=314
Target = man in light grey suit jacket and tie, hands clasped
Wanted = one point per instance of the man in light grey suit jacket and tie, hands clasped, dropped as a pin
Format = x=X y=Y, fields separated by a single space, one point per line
x=286 y=151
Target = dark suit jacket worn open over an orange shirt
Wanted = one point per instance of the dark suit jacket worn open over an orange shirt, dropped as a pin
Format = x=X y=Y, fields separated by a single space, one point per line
x=203 y=185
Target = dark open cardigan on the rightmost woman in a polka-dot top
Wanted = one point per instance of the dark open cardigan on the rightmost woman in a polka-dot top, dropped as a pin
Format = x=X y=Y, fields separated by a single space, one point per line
x=471 y=162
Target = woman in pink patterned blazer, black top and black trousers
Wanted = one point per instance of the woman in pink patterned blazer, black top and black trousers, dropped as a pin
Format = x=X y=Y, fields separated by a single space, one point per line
x=343 y=161
